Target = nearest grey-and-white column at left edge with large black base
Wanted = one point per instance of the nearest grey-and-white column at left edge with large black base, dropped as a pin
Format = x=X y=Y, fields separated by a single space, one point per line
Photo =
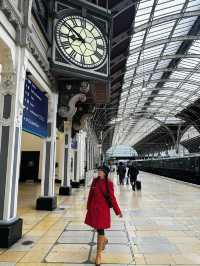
x=11 y=110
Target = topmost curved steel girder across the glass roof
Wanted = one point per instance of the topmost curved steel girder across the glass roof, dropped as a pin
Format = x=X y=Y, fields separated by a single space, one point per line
x=166 y=19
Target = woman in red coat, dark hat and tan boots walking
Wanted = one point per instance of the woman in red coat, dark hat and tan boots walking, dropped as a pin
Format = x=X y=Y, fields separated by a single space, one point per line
x=101 y=195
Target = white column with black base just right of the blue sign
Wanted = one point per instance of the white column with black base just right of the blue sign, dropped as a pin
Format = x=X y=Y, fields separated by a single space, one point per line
x=48 y=200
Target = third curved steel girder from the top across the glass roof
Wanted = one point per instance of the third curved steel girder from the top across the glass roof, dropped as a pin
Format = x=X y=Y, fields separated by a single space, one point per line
x=164 y=57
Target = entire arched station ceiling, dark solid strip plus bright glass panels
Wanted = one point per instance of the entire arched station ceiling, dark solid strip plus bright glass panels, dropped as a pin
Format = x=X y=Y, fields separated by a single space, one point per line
x=155 y=71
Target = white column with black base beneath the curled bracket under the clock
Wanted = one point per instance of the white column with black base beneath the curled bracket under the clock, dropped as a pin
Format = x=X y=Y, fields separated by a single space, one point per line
x=65 y=188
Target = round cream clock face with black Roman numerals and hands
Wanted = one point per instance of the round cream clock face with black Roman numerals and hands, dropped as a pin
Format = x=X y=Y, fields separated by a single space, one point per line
x=81 y=41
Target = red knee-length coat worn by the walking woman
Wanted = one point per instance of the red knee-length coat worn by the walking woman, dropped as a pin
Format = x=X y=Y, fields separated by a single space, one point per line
x=98 y=211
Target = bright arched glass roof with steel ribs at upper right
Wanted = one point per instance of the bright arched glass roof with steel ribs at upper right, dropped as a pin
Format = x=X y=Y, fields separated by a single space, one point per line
x=162 y=75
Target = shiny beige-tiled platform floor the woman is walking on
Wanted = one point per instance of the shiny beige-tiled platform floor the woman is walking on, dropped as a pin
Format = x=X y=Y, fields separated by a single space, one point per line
x=161 y=226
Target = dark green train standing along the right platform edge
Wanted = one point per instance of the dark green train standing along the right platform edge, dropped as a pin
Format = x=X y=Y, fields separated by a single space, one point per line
x=185 y=168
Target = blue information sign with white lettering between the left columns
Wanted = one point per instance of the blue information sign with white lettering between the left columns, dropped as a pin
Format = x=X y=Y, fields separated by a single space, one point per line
x=35 y=110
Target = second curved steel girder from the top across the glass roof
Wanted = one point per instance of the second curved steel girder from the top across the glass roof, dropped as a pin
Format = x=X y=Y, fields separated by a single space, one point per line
x=163 y=41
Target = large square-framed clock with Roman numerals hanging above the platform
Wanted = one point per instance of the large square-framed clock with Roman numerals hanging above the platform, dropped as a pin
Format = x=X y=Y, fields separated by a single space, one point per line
x=81 y=44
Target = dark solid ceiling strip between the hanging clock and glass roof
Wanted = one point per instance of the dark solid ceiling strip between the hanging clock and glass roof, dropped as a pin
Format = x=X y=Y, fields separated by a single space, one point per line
x=123 y=13
